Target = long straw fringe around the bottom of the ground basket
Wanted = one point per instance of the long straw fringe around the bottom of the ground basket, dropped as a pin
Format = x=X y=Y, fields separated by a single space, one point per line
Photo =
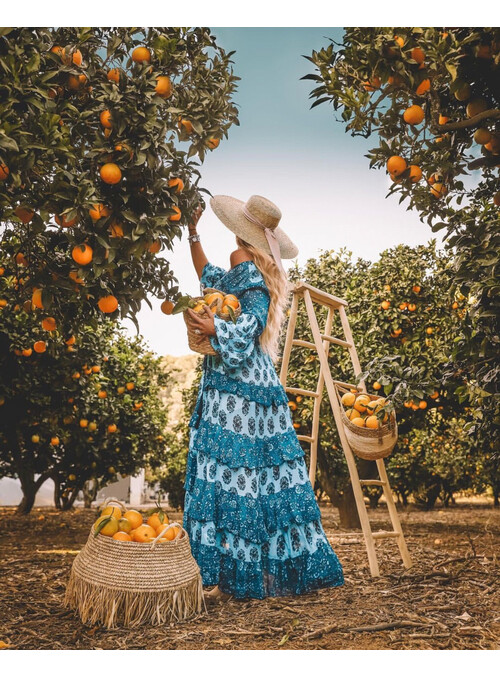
x=112 y=607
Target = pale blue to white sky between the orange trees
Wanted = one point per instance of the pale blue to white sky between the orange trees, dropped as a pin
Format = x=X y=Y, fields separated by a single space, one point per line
x=299 y=158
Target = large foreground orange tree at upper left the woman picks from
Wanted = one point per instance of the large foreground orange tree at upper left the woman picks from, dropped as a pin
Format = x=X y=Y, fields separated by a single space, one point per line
x=102 y=132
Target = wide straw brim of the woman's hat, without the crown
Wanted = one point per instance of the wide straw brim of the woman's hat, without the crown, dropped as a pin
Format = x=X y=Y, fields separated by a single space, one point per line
x=230 y=211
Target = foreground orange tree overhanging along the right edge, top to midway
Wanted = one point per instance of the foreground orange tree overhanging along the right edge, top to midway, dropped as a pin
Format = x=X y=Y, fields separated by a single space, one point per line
x=432 y=97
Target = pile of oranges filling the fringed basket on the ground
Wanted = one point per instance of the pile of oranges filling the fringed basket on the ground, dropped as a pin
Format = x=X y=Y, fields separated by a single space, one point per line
x=131 y=526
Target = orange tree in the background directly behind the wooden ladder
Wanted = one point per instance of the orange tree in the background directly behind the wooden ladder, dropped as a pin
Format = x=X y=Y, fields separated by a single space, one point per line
x=404 y=316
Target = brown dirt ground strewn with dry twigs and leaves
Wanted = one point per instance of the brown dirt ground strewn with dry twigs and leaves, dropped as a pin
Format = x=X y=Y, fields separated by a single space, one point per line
x=447 y=600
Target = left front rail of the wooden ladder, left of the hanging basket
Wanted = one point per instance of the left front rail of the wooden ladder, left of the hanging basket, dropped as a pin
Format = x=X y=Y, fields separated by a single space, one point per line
x=351 y=464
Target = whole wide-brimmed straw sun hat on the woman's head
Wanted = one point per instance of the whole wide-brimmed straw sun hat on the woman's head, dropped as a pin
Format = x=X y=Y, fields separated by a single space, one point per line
x=249 y=220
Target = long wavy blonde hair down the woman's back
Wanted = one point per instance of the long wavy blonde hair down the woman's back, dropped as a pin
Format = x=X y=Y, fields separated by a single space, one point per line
x=277 y=284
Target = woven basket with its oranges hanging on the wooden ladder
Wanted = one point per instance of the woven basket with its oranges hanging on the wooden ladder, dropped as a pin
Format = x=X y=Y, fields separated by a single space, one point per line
x=369 y=424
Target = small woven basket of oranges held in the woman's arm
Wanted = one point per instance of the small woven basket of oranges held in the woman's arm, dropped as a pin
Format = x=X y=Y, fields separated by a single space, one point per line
x=225 y=306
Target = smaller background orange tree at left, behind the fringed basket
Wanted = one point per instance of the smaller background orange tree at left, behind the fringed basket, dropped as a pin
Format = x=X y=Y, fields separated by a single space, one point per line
x=73 y=407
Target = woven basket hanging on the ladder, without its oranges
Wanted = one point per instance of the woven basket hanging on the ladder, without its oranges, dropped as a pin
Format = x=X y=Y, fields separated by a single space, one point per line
x=366 y=443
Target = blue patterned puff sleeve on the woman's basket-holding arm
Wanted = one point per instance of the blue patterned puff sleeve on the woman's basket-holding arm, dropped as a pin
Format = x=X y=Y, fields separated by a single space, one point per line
x=234 y=342
